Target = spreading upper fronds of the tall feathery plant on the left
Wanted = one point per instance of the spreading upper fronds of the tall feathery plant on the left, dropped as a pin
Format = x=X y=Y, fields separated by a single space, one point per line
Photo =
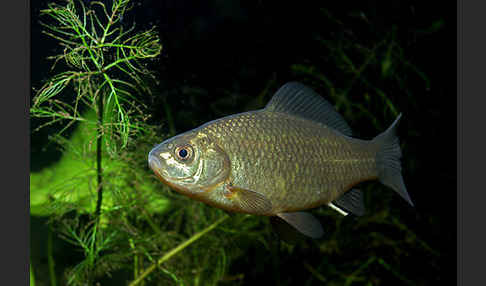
x=107 y=68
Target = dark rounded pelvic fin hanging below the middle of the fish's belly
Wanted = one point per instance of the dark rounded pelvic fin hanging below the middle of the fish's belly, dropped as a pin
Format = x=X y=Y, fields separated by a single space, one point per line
x=303 y=222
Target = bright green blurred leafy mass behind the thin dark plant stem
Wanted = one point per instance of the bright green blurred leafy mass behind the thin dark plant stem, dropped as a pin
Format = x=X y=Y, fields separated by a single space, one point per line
x=70 y=184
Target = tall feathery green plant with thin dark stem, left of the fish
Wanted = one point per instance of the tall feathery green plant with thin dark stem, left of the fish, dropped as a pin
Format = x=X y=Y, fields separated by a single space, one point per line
x=106 y=67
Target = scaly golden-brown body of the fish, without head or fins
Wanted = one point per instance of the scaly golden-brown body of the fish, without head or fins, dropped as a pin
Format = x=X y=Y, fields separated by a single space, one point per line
x=329 y=163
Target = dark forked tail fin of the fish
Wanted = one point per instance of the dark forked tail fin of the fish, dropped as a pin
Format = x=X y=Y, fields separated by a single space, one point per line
x=388 y=160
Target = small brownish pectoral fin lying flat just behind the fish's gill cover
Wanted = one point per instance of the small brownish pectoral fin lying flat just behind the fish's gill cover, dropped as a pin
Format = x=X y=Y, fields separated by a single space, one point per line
x=248 y=201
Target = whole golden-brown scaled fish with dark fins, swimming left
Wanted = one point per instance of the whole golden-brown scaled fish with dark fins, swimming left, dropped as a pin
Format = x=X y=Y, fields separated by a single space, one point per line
x=295 y=154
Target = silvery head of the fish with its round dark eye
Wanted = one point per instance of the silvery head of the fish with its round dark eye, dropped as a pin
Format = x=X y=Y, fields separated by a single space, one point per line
x=190 y=163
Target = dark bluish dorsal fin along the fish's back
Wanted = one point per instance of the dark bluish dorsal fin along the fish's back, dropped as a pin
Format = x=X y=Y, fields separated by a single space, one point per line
x=297 y=99
